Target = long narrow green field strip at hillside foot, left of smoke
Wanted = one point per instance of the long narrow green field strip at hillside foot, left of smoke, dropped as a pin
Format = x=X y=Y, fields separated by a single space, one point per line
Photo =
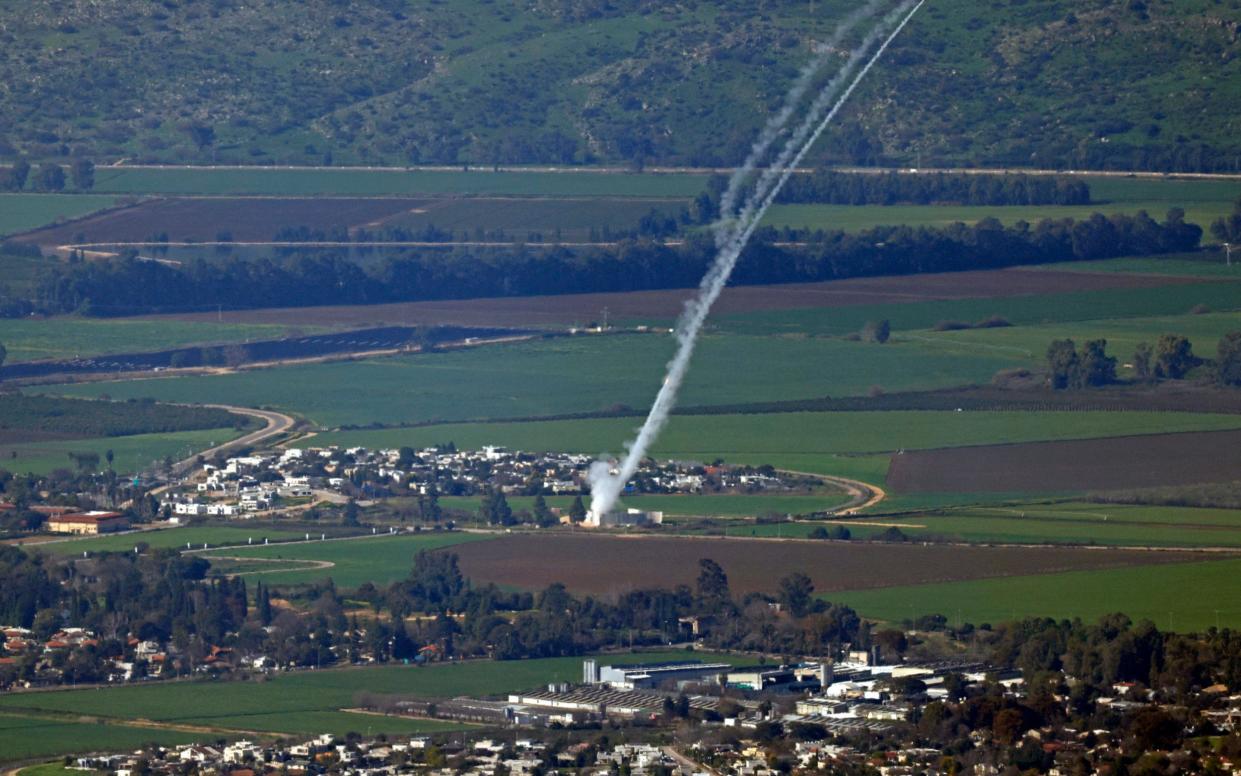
x=394 y=182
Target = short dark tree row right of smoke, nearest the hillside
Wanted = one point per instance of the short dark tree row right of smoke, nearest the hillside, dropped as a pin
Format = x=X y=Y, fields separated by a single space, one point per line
x=835 y=188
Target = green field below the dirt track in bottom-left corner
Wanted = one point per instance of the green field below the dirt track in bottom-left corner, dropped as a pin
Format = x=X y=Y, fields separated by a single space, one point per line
x=24 y=738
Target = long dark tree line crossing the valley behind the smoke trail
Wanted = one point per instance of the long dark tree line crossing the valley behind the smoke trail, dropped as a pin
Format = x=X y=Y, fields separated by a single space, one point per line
x=128 y=286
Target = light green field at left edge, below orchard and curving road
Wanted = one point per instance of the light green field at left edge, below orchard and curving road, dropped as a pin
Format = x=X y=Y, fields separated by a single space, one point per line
x=133 y=454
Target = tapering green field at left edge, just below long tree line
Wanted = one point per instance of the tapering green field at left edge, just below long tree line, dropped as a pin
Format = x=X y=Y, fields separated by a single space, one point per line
x=66 y=338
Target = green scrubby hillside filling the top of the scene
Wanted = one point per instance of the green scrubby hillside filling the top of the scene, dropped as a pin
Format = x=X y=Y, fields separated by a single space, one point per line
x=1051 y=84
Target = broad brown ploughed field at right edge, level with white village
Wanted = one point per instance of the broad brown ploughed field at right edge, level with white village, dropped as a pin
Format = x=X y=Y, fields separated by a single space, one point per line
x=1082 y=465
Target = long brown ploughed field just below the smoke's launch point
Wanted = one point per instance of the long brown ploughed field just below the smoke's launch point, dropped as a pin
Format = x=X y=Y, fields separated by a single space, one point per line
x=604 y=564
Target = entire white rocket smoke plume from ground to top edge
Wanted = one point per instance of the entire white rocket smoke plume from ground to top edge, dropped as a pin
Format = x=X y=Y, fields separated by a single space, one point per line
x=732 y=239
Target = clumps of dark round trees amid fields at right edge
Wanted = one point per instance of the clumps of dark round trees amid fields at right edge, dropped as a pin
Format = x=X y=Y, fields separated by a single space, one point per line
x=1171 y=358
